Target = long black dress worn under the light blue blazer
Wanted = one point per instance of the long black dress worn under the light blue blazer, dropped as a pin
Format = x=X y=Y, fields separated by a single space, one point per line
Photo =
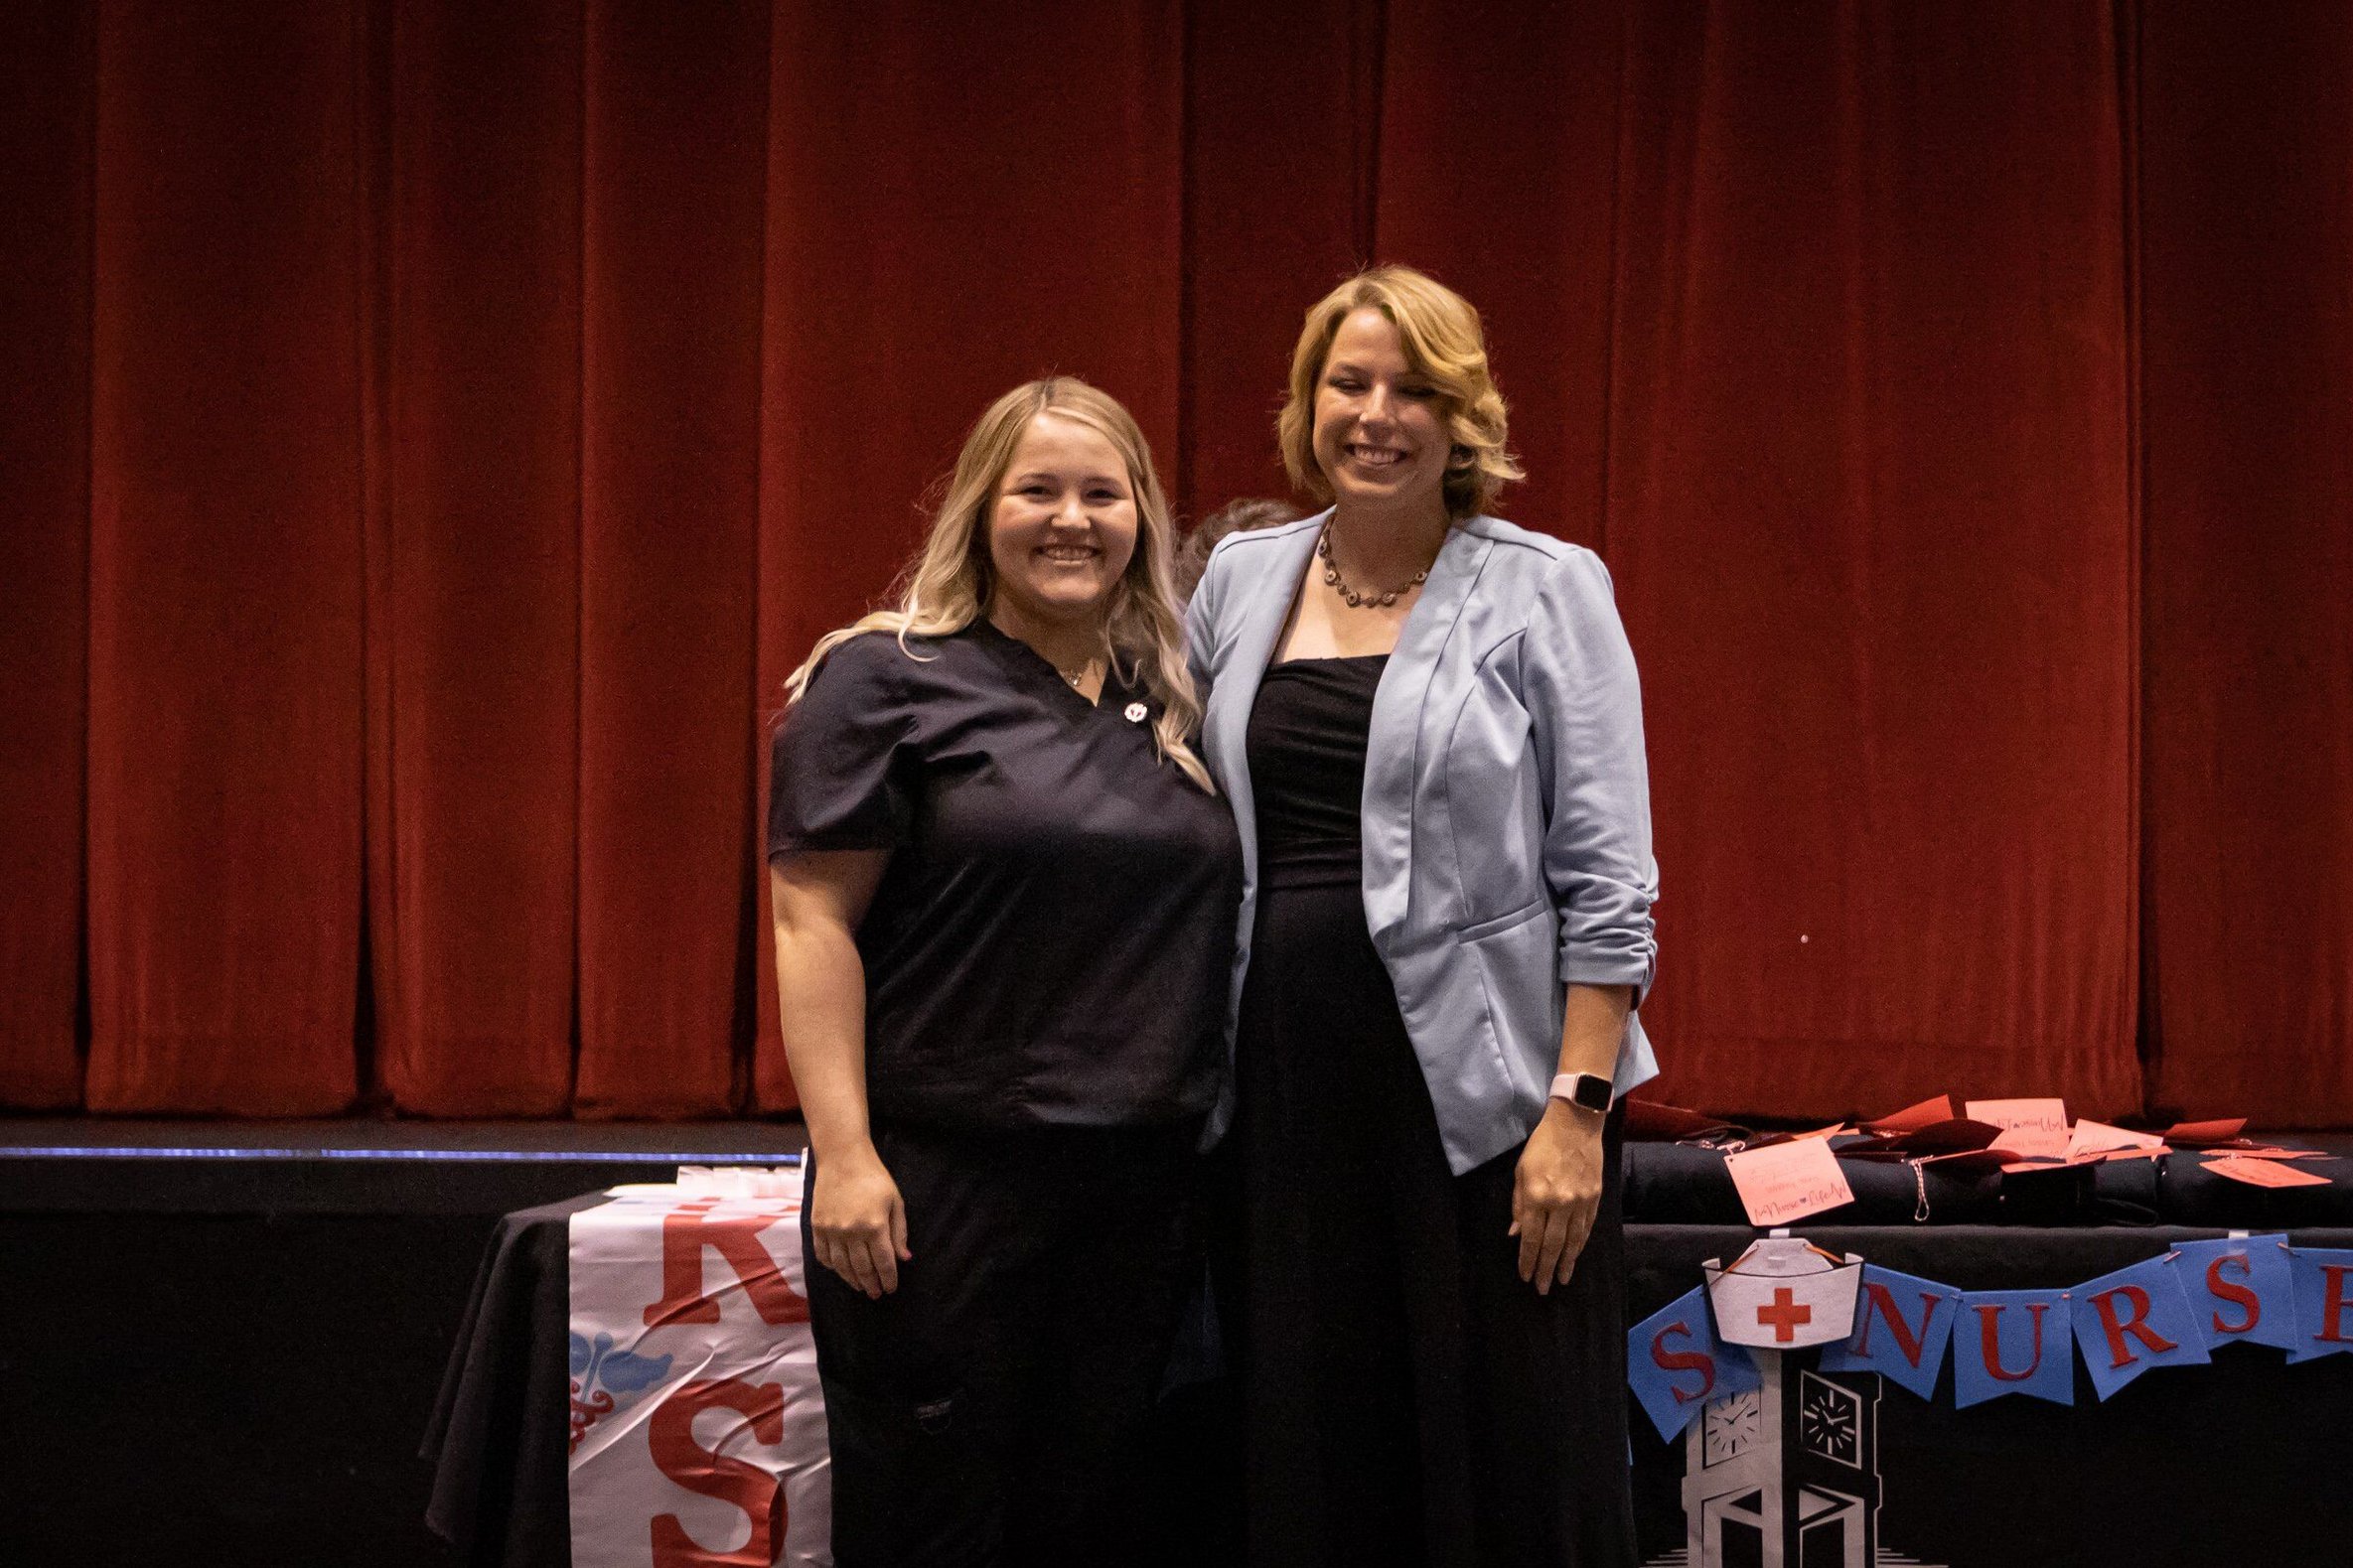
x=1406 y=1398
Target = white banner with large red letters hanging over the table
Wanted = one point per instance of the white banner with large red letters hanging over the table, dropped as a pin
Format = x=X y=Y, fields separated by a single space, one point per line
x=698 y=1423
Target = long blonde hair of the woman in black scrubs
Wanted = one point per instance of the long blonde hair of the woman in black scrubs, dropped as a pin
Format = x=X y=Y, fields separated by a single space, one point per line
x=949 y=582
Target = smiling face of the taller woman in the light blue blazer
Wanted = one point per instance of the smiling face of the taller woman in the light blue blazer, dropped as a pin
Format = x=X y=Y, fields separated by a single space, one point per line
x=1380 y=429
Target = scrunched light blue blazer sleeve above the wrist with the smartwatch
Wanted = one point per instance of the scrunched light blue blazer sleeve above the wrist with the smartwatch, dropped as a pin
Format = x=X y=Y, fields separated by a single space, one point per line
x=1585 y=709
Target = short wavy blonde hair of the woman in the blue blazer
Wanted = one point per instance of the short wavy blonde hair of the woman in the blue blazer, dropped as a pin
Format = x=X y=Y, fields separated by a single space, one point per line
x=1444 y=342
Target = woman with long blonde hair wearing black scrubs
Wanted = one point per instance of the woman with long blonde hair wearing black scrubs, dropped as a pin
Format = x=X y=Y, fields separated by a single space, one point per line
x=1004 y=902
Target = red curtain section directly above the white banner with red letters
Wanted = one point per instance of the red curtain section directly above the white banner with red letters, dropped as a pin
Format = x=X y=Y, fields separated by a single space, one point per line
x=669 y=509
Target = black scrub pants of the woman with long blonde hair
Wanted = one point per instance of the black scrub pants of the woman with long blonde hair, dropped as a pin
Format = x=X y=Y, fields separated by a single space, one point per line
x=980 y=1414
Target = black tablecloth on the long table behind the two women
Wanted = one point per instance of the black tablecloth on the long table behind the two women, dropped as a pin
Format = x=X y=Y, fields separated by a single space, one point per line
x=2241 y=1459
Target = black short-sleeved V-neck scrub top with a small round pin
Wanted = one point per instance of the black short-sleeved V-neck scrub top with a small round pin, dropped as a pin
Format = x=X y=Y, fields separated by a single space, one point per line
x=1053 y=934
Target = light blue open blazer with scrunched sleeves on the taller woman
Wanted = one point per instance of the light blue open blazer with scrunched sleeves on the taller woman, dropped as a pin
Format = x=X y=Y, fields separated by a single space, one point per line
x=1507 y=805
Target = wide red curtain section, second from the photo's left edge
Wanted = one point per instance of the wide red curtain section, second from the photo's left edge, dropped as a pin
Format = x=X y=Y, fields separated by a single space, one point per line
x=225 y=561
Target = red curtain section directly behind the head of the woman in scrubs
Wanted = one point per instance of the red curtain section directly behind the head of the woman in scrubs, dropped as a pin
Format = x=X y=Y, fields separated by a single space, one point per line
x=952 y=210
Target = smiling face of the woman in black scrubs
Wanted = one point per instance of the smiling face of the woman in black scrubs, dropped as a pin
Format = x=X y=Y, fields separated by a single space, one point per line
x=1062 y=525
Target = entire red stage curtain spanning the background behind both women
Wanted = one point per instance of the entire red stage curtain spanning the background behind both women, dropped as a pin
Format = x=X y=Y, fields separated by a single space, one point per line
x=434 y=431
